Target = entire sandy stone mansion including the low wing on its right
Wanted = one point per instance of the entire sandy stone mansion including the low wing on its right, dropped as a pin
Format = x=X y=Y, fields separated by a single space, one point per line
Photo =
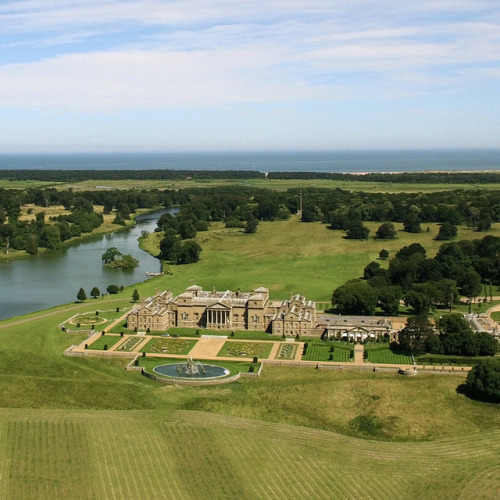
x=228 y=311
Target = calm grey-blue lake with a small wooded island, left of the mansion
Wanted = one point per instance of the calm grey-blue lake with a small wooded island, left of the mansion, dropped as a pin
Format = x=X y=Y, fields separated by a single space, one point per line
x=54 y=278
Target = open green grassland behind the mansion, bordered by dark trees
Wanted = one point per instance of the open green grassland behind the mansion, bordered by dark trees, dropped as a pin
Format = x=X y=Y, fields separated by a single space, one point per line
x=312 y=257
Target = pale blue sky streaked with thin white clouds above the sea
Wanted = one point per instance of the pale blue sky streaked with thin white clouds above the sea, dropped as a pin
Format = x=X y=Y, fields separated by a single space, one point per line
x=240 y=75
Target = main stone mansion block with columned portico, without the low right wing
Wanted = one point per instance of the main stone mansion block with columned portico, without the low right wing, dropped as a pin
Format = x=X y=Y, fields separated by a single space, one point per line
x=197 y=308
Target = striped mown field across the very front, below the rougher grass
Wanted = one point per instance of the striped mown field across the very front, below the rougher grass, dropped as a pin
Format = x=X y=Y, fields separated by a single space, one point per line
x=188 y=454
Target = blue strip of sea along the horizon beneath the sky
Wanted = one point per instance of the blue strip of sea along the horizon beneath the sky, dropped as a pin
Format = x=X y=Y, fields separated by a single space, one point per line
x=286 y=161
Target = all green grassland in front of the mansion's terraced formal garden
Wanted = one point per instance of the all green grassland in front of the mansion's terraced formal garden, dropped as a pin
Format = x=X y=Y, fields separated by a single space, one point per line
x=103 y=432
